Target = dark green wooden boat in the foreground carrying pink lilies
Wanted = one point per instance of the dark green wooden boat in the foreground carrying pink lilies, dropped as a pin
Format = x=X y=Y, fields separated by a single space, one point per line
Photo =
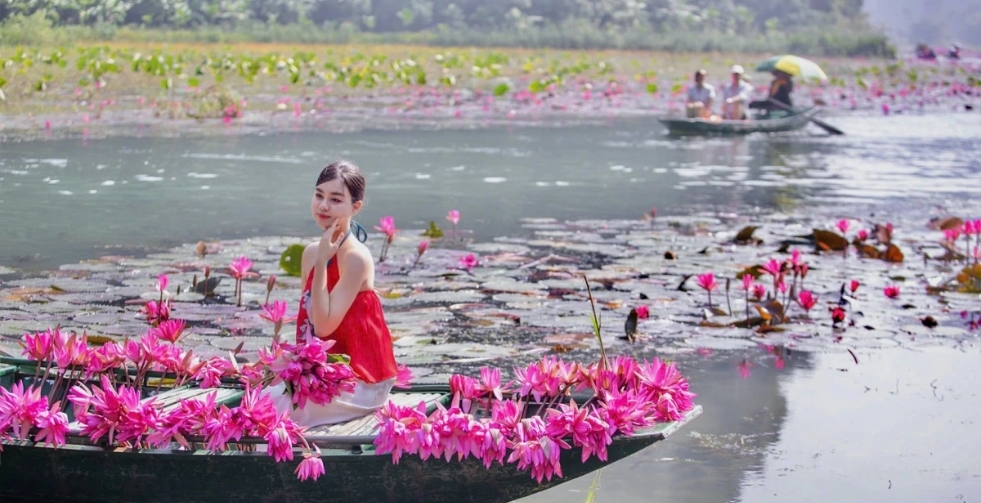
x=81 y=472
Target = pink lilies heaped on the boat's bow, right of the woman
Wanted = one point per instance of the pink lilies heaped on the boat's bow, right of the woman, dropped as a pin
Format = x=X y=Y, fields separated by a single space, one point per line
x=530 y=420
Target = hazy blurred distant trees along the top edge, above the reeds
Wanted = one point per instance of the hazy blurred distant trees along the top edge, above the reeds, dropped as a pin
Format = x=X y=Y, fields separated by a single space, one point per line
x=417 y=15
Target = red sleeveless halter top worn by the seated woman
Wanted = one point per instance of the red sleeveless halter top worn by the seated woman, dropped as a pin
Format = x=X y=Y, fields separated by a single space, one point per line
x=362 y=334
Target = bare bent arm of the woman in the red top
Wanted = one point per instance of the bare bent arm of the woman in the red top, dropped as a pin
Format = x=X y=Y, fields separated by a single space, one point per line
x=329 y=307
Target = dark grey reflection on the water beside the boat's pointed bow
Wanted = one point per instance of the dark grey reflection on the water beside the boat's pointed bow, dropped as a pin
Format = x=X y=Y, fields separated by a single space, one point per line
x=710 y=459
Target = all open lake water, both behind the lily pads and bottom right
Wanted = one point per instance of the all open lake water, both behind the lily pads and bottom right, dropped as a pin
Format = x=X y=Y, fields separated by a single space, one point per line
x=900 y=427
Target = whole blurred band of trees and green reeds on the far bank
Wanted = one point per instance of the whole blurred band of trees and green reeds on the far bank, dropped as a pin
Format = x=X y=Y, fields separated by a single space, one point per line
x=815 y=27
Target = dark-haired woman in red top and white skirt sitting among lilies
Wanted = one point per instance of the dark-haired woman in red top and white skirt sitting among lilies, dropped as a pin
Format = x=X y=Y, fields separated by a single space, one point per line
x=339 y=302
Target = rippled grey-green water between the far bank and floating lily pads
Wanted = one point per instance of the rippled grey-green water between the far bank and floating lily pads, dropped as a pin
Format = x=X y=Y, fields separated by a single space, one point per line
x=62 y=201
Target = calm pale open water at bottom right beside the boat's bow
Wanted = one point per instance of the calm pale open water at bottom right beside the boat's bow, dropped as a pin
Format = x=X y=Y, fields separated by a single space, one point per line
x=895 y=427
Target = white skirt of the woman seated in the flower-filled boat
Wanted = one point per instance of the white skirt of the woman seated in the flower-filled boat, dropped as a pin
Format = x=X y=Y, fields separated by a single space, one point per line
x=347 y=406
